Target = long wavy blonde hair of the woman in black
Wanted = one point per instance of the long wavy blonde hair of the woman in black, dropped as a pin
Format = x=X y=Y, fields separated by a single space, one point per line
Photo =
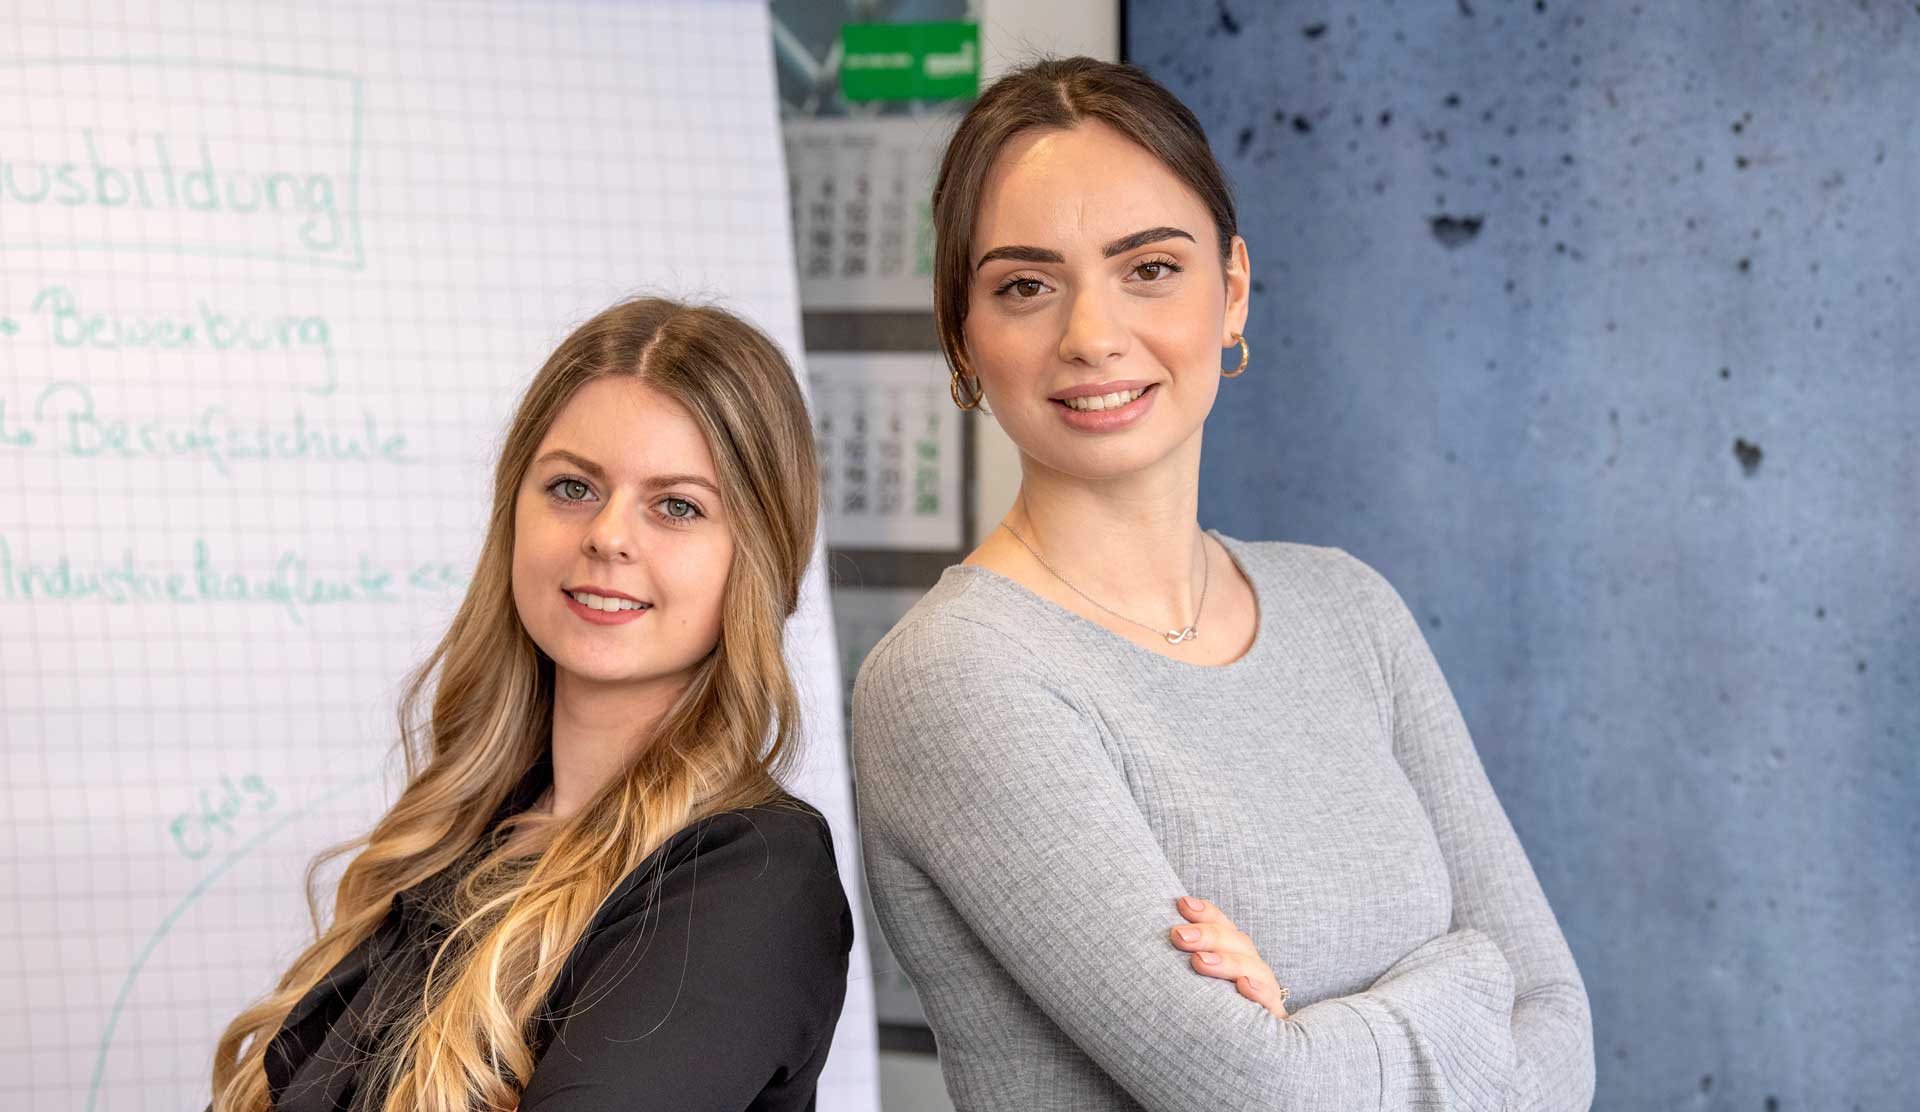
x=721 y=746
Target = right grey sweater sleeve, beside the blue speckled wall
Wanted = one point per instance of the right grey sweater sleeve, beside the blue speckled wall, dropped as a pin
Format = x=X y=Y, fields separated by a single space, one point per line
x=1495 y=886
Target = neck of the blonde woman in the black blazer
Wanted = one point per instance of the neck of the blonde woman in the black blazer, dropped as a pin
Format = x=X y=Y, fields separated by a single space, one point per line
x=598 y=731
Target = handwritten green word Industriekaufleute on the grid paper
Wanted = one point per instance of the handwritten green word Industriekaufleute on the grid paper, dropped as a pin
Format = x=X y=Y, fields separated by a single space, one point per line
x=289 y=581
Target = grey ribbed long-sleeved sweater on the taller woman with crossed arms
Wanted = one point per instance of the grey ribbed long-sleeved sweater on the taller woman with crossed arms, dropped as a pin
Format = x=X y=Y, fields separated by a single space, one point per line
x=1036 y=792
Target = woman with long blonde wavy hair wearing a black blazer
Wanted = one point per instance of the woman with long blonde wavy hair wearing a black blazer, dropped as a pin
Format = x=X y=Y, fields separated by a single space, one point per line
x=594 y=892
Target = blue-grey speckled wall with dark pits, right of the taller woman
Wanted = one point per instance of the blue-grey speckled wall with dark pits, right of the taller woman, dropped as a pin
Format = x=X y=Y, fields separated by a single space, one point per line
x=1595 y=327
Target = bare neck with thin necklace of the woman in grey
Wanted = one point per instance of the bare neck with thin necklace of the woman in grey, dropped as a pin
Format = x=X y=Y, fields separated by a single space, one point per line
x=1132 y=543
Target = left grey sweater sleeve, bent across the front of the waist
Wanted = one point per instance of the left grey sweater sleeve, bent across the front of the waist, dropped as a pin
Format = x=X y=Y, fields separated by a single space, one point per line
x=982 y=775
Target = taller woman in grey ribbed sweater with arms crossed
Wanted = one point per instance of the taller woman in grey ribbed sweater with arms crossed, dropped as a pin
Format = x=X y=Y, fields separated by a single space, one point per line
x=1157 y=817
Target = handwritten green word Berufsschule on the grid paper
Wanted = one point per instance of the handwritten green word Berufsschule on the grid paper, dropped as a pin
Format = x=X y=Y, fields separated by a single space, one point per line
x=68 y=422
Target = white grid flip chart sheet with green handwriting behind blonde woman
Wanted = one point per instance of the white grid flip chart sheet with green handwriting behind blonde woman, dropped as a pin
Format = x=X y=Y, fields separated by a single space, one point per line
x=272 y=279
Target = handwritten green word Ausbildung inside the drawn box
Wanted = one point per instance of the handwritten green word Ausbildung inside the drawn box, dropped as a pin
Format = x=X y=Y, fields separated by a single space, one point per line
x=139 y=172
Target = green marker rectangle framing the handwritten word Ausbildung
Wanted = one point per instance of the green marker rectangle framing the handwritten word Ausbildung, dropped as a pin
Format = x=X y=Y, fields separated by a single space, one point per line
x=126 y=166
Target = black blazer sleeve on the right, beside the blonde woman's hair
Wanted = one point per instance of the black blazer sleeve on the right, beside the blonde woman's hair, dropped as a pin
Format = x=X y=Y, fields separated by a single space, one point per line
x=715 y=982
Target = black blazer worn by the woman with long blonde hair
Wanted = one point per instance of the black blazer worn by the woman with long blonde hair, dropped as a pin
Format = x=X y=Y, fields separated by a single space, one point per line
x=709 y=980
